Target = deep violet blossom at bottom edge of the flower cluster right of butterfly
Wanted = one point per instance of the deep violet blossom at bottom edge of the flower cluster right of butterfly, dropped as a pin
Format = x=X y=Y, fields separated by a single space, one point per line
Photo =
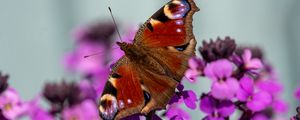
x=216 y=109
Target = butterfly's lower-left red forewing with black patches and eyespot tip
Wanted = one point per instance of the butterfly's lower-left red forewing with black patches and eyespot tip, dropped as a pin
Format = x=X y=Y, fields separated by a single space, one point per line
x=123 y=95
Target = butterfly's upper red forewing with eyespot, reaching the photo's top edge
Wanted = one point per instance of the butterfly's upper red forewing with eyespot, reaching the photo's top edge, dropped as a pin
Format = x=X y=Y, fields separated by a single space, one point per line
x=169 y=26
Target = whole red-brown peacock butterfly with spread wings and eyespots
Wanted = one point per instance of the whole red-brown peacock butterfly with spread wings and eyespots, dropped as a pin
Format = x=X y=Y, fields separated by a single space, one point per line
x=145 y=78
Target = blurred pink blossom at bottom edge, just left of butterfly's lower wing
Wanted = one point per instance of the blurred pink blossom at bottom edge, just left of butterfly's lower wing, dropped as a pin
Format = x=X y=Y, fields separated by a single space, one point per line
x=85 y=111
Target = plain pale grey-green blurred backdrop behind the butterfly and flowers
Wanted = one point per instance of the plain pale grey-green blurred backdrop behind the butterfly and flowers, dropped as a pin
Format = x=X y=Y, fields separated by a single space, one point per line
x=35 y=34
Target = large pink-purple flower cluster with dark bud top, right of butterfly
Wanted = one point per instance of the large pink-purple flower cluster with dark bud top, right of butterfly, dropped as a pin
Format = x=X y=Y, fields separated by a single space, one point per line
x=240 y=81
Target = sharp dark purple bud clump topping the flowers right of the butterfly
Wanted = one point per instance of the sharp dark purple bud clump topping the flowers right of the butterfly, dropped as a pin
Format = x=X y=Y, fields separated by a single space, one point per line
x=218 y=49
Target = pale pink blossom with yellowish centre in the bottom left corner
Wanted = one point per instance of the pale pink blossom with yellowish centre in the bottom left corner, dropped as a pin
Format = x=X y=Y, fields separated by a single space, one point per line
x=11 y=104
